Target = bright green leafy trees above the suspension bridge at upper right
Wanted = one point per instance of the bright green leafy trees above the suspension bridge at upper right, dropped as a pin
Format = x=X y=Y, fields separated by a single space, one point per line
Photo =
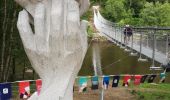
x=138 y=12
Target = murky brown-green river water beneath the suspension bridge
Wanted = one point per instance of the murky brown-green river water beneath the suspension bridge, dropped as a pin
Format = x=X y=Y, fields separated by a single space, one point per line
x=115 y=61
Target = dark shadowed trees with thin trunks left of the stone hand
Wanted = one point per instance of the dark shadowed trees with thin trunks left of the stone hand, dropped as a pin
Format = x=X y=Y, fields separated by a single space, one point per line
x=11 y=49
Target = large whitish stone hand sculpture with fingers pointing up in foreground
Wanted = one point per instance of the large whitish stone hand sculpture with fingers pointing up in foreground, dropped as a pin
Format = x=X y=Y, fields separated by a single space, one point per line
x=55 y=42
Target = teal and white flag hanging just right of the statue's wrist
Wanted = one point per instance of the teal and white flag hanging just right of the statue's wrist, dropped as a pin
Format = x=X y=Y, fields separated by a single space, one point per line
x=82 y=84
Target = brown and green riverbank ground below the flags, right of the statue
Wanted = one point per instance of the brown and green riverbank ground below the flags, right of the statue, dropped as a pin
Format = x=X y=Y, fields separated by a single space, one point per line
x=143 y=92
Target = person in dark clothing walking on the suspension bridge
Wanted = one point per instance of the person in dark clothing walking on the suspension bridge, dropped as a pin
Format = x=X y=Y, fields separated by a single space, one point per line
x=127 y=33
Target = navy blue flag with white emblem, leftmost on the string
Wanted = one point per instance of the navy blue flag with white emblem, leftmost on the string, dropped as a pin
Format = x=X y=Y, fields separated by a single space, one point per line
x=5 y=91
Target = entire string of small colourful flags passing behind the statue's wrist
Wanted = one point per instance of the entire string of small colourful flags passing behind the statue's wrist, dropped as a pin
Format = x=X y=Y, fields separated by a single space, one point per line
x=24 y=86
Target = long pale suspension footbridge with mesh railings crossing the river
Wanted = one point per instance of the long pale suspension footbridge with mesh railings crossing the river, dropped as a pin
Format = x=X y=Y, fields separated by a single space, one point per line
x=148 y=42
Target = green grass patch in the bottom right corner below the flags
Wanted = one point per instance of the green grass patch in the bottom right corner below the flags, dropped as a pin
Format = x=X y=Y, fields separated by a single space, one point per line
x=152 y=91
